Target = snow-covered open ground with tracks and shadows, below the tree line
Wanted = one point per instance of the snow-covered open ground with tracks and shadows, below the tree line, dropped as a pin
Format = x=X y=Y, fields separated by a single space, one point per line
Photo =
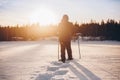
x=37 y=60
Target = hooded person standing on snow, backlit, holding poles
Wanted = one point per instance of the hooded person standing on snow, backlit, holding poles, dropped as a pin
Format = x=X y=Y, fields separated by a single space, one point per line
x=65 y=32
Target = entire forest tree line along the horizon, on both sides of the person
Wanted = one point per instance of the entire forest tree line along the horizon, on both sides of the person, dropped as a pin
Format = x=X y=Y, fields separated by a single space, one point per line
x=109 y=30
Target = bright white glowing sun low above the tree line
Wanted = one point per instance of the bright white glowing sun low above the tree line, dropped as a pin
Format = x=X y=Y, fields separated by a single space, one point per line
x=43 y=16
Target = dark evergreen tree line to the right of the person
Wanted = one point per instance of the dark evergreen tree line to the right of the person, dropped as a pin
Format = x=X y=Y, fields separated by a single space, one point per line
x=109 y=30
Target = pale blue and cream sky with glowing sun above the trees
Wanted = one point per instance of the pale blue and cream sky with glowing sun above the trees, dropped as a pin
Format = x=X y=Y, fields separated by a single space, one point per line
x=14 y=12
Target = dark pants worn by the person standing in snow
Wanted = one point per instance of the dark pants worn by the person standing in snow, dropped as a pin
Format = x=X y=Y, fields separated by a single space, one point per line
x=66 y=46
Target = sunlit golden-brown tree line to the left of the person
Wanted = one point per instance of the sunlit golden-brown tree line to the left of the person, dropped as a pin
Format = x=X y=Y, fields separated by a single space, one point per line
x=25 y=32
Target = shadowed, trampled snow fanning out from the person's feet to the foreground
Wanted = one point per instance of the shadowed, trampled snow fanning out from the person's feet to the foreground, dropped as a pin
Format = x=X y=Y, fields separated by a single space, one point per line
x=56 y=70
